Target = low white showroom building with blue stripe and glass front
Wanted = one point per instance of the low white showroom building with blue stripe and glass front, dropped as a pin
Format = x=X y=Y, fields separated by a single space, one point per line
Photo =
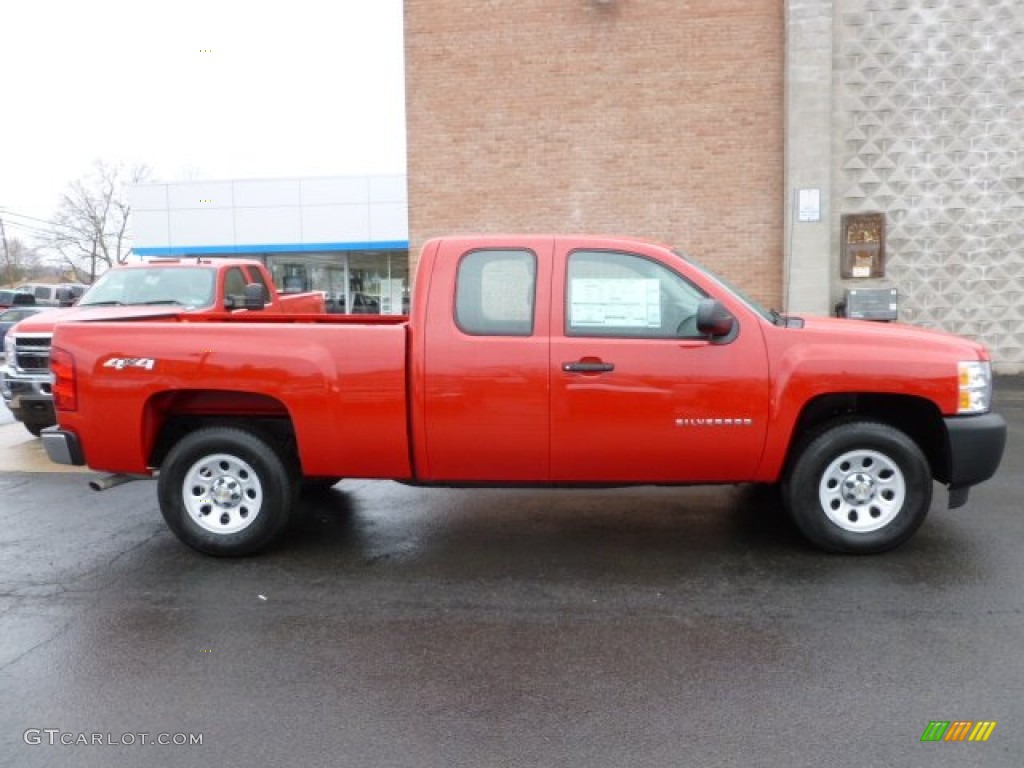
x=348 y=237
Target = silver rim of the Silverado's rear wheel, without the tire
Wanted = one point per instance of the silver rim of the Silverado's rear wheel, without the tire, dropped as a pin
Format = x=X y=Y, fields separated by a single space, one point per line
x=223 y=494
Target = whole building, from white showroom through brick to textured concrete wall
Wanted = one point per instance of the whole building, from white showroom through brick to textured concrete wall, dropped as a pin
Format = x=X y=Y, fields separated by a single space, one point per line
x=826 y=155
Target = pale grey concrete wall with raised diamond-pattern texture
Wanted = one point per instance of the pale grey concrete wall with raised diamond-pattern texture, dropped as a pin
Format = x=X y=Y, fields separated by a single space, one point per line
x=929 y=129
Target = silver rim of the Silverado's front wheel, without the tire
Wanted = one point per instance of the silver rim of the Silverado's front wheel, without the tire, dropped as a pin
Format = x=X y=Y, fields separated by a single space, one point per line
x=863 y=491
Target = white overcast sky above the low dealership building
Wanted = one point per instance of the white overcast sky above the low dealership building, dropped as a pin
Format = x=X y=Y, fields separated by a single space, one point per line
x=197 y=90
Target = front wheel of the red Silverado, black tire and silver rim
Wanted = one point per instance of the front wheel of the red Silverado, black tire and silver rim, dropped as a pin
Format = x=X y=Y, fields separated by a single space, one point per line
x=859 y=488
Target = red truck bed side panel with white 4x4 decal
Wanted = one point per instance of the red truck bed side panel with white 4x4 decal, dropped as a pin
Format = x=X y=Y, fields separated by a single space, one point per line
x=344 y=379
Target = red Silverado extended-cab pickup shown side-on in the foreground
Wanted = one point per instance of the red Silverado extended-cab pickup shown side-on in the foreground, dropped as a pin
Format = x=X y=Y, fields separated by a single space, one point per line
x=532 y=361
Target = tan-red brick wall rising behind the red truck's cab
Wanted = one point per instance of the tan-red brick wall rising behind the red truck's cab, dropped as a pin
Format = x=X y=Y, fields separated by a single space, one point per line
x=656 y=118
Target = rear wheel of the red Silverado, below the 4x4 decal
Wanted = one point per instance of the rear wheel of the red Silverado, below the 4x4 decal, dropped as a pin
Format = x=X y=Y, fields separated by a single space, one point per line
x=226 y=492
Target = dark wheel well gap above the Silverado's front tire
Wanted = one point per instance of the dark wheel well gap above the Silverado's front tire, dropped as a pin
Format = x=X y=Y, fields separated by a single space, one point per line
x=919 y=419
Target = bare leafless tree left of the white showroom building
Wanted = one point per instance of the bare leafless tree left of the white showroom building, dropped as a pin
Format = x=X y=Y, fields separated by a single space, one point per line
x=91 y=225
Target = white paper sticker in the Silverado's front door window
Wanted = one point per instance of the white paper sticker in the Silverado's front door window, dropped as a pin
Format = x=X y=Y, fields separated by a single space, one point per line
x=615 y=303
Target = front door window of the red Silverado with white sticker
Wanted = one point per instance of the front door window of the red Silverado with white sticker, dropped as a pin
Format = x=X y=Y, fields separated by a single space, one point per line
x=621 y=294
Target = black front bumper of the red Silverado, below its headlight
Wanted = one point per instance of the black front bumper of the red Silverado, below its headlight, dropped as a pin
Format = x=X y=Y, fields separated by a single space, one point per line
x=976 y=445
